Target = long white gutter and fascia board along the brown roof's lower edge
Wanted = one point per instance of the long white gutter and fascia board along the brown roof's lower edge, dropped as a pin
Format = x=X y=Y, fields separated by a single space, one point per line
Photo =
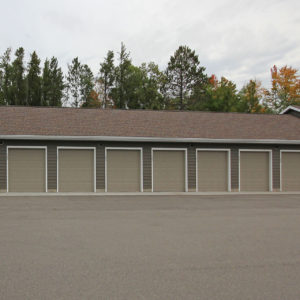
x=147 y=139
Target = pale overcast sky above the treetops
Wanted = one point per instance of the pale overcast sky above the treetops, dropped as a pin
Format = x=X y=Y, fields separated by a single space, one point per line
x=238 y=39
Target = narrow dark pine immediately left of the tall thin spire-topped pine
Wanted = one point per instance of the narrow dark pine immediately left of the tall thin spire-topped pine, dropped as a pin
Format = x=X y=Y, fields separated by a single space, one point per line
x=107 y=76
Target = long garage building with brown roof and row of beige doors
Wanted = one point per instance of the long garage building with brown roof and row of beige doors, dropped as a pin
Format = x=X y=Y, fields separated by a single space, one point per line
x=92 y=150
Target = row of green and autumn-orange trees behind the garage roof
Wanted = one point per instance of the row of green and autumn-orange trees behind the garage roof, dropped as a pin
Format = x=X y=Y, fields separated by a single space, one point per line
x=183 y=85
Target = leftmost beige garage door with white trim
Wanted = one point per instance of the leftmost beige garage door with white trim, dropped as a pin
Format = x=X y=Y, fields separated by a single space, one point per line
x=26 y=170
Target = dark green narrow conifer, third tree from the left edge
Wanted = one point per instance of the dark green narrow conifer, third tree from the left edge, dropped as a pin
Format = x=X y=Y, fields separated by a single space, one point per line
x=34 y=92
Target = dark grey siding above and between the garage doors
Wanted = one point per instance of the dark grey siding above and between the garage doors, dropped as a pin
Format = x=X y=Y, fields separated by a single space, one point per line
x=147 y=160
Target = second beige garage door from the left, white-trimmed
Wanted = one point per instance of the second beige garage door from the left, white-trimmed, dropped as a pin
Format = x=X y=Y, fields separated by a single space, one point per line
x=76 y=170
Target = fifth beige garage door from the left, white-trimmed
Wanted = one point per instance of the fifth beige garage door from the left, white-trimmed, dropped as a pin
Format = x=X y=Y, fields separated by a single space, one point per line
x=212 y=171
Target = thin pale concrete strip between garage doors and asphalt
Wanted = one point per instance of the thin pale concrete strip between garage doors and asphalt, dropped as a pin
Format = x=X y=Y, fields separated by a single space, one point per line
x=149 y=194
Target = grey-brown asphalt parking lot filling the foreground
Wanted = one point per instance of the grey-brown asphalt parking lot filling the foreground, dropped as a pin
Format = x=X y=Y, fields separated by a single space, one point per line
x=150 y=247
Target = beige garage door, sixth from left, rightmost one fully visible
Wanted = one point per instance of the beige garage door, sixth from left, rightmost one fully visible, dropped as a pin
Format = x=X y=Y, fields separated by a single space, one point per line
x=254 y=171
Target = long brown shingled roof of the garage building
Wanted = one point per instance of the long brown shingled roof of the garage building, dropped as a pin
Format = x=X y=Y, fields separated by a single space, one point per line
x=143 y=123
